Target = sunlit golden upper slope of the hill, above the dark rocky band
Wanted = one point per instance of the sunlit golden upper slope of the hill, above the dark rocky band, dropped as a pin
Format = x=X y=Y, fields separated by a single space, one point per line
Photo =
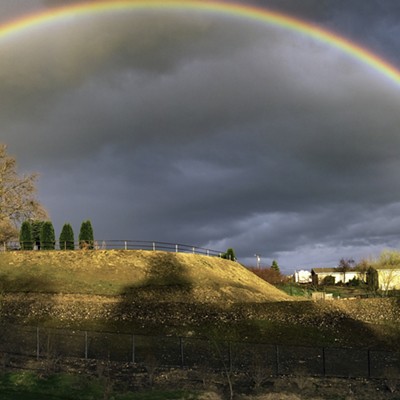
x=146 y=275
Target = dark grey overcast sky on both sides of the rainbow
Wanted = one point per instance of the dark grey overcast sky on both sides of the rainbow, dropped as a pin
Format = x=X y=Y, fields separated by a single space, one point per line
x=211 y=130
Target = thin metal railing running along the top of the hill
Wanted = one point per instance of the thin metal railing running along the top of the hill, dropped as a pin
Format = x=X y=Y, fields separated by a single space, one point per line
x=113 y=245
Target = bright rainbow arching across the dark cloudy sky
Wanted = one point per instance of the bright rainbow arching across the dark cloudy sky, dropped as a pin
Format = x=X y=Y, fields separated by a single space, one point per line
x=250 y=13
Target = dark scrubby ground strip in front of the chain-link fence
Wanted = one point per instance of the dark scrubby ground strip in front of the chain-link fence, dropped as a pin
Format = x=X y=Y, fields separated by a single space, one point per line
x=62 y=386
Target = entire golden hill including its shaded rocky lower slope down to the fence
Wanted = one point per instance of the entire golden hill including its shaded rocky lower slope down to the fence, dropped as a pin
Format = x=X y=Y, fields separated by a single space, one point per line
x=160 y=293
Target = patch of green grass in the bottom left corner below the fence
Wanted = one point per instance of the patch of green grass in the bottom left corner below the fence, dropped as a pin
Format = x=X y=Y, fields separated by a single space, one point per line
x=30 y=386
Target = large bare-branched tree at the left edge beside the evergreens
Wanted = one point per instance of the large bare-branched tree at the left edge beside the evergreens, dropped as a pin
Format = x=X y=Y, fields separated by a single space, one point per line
x=17 y=197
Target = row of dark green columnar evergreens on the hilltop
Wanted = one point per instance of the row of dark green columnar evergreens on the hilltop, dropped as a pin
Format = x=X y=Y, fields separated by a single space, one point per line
x=41 y=235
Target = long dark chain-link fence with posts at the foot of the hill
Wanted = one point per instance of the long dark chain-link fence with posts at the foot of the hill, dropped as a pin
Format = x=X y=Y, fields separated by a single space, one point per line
x=191 y=352
